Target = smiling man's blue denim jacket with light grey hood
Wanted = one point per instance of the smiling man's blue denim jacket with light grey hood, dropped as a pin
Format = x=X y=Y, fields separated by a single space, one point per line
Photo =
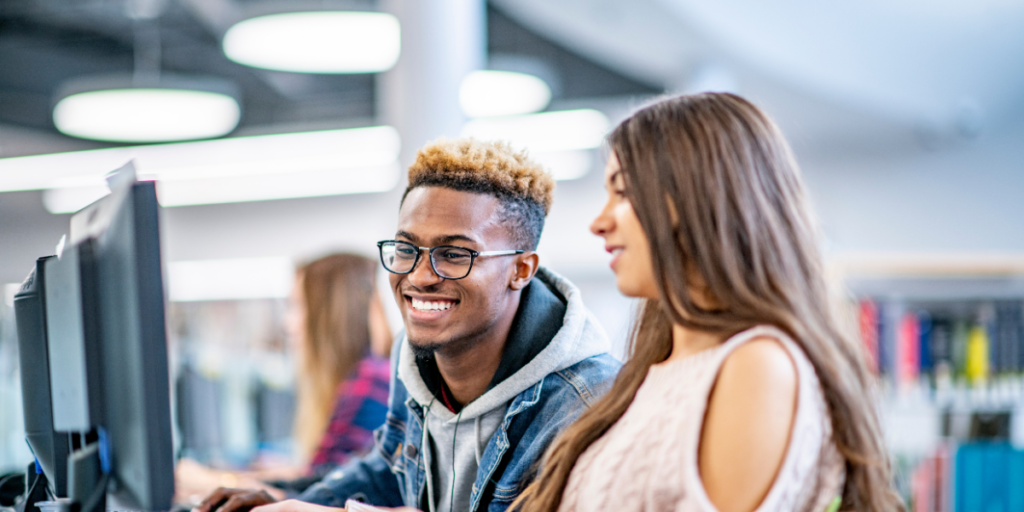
x=395 y=473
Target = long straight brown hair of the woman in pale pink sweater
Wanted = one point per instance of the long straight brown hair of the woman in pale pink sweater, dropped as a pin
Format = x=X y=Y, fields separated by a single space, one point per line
x=720 y=198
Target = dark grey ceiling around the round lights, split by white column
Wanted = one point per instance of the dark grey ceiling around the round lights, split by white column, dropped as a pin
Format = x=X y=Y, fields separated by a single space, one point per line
x=45 y=44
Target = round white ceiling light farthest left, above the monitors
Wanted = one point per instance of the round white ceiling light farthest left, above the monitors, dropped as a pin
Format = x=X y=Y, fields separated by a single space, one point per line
x=114 y=111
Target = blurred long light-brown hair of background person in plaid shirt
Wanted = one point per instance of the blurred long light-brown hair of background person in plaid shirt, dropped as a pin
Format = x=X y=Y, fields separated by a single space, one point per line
x=337 y=291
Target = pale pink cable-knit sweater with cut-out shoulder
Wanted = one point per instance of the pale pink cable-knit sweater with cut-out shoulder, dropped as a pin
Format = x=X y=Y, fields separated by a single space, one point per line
x=649 y=459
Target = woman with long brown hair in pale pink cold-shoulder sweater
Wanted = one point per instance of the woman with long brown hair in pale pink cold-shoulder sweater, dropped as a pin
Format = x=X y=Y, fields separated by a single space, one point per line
x=743 y=392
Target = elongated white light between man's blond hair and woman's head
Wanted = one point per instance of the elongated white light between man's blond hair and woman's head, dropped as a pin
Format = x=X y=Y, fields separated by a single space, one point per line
x=550 y=132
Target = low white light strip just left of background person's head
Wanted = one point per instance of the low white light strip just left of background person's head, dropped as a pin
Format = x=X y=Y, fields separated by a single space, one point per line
x=231 y=279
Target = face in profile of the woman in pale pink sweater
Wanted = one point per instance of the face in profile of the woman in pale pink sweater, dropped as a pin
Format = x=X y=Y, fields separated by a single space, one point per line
x=624 y=238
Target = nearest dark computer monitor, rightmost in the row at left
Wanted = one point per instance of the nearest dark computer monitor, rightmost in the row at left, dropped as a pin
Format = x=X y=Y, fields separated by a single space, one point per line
x=126 y=285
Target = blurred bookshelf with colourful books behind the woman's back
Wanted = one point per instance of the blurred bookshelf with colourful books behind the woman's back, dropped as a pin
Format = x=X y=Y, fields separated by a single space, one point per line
x=946 y=336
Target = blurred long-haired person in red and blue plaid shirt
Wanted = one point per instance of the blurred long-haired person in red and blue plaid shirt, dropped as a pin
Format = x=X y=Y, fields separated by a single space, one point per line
x=342 y=343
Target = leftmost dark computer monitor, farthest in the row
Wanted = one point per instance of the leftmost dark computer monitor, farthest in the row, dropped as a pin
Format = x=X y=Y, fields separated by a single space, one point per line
x=50 y=447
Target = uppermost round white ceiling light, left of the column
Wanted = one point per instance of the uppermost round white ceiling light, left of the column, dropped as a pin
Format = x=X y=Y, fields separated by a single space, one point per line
x=329 y=42
